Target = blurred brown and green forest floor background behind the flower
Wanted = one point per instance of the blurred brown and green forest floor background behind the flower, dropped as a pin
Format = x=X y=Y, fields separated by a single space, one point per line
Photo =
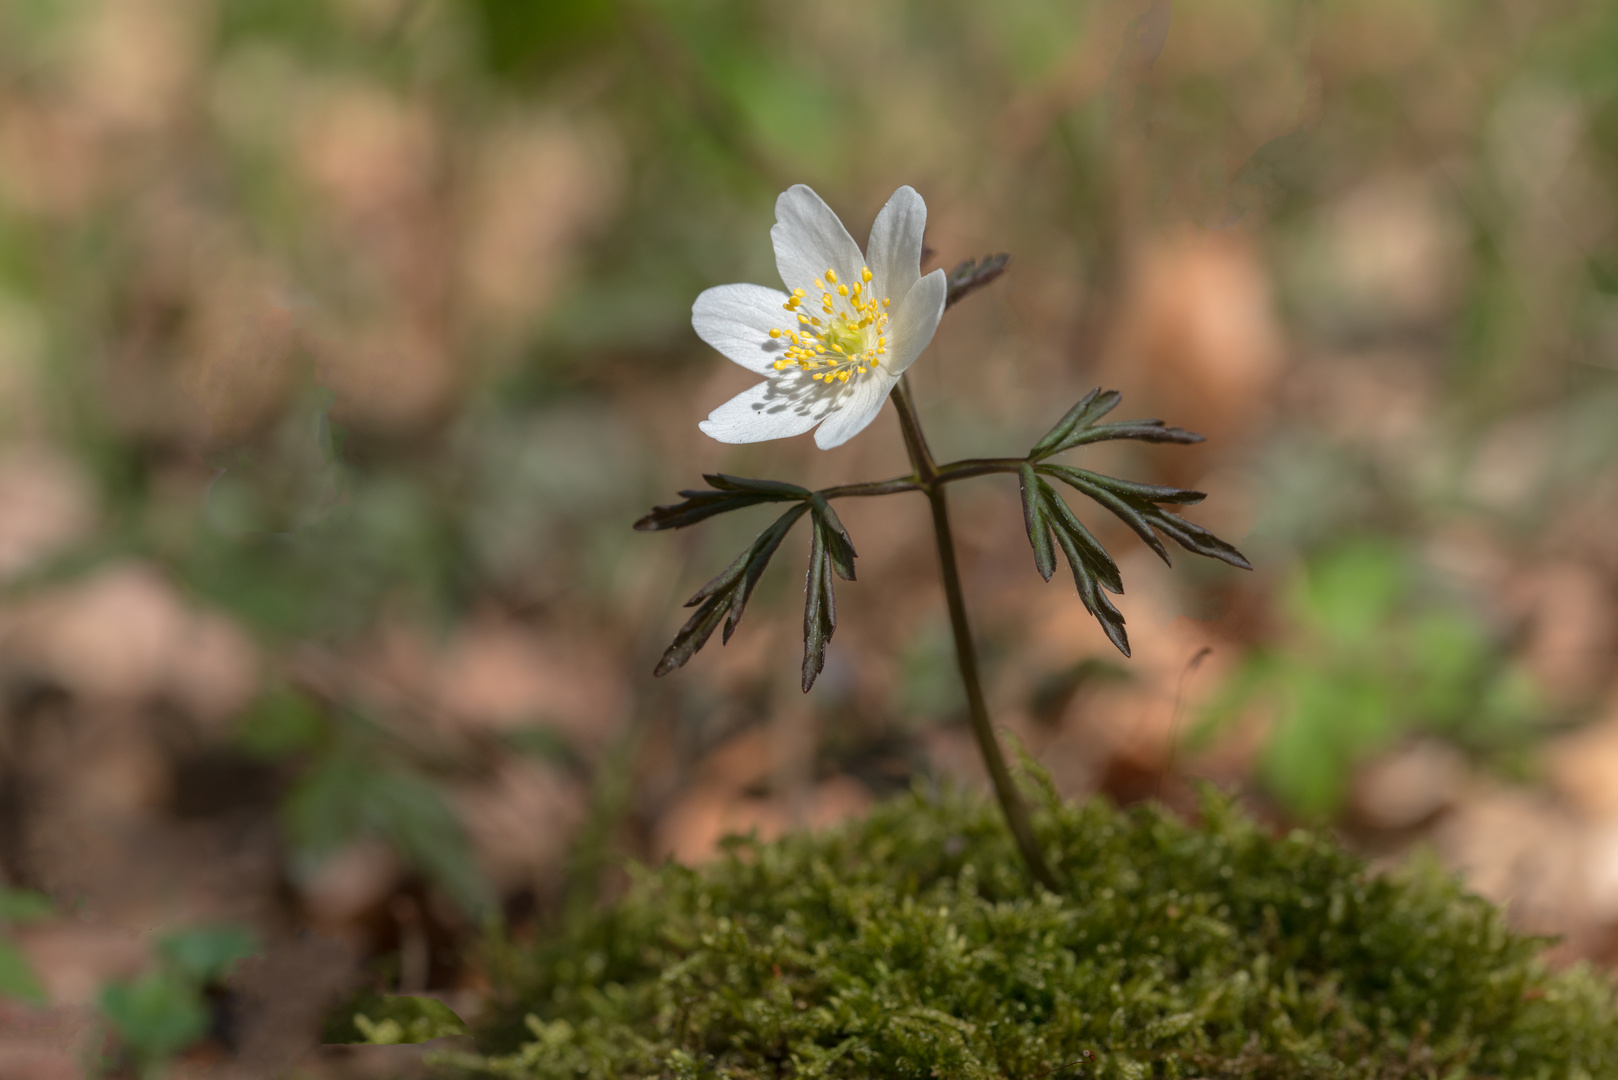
x=344 y=341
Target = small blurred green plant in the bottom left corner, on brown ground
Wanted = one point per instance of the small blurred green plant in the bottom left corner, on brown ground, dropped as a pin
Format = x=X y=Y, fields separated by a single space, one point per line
x=164 y=1011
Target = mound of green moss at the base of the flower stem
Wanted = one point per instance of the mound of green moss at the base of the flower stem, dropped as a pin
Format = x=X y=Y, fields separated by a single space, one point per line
x=910 y=945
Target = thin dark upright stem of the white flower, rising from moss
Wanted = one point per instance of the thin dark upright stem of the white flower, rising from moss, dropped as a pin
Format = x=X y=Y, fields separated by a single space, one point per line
x=930 y=480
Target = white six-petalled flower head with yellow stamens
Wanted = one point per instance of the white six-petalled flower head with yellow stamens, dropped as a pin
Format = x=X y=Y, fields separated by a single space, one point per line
x=839 y=339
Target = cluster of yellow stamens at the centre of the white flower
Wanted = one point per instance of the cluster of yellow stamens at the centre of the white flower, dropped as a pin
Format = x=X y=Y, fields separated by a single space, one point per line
x=845 y=338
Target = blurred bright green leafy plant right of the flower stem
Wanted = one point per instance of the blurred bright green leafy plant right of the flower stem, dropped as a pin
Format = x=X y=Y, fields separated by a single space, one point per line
x=1376 y=660
